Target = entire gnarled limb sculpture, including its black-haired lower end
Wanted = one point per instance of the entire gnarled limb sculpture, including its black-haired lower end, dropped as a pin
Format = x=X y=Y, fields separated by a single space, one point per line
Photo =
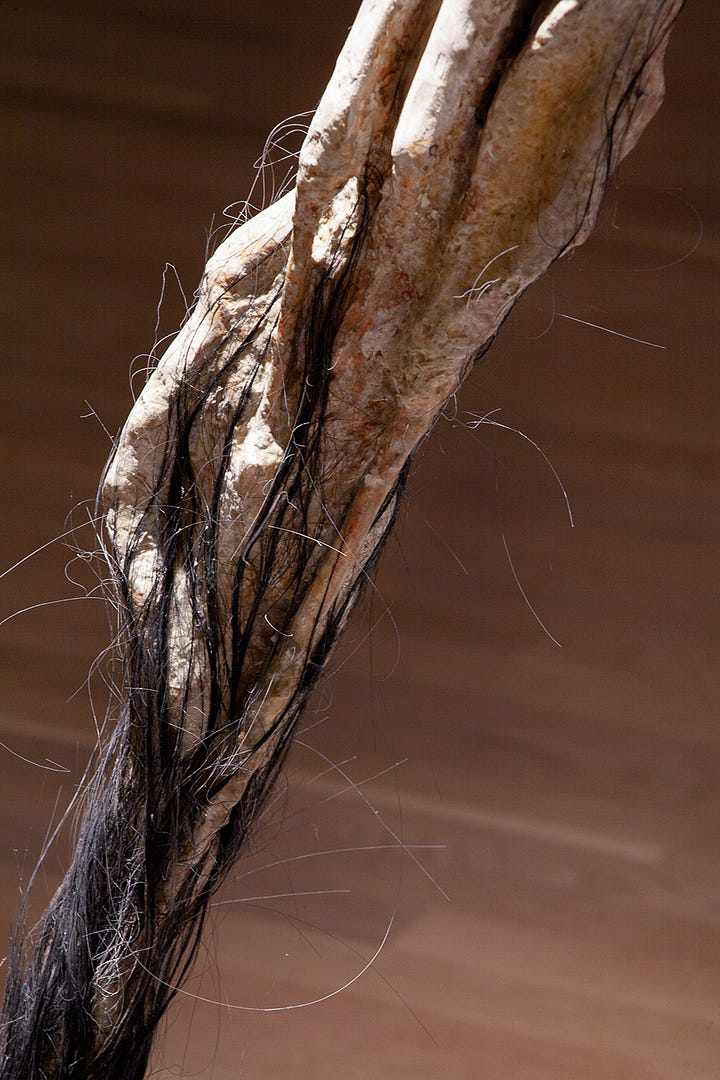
x=460 y=148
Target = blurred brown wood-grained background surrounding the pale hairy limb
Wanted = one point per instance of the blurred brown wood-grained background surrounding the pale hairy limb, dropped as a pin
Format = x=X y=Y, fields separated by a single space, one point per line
x=556 y=912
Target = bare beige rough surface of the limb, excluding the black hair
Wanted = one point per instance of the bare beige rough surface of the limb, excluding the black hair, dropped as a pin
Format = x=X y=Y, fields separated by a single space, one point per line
x=470 y=200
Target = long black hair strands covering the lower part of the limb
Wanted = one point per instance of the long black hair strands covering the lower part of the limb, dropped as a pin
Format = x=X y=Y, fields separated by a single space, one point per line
x=107 y=940
